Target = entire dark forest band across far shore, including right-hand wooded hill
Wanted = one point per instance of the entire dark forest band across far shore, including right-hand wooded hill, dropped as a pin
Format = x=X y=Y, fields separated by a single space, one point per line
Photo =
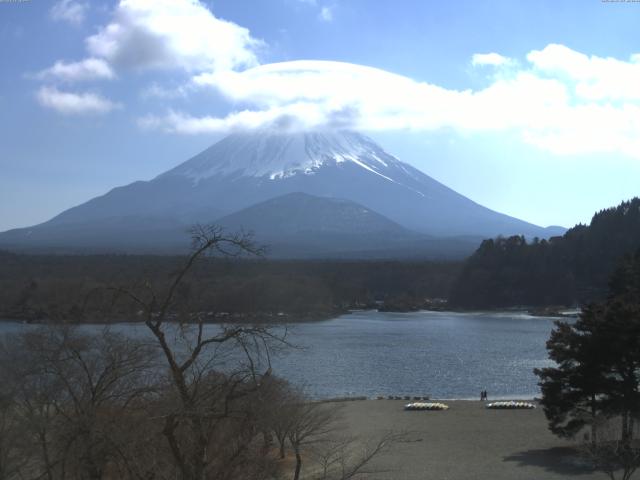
x=503 y=272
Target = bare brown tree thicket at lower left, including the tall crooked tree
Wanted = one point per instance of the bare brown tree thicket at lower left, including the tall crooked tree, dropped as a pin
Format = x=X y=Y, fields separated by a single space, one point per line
x=189 y=400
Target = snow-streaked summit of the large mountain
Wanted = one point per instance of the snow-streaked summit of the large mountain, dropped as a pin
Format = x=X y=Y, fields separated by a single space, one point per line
x=274 y=155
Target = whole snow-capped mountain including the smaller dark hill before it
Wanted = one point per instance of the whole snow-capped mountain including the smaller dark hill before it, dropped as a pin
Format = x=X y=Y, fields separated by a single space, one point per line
x=318 y=193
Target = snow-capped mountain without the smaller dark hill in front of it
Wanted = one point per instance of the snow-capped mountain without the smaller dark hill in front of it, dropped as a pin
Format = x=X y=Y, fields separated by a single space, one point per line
x=248 y=168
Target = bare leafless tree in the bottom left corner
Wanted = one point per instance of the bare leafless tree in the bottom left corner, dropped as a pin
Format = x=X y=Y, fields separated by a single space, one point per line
x=72 y=397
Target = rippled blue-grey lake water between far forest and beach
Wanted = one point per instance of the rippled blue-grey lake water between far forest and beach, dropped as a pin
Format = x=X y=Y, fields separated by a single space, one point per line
x=441 y=354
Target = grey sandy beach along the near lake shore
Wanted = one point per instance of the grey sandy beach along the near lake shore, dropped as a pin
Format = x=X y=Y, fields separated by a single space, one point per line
x=466 y=442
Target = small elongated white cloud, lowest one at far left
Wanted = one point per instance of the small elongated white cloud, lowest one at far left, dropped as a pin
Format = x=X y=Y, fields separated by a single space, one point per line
x=74 y=103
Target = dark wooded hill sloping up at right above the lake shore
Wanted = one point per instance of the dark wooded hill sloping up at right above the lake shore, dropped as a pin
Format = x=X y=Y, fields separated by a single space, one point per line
x=568 y=270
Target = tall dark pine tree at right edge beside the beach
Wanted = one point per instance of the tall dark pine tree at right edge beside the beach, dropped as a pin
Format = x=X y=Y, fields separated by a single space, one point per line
x=598 y=362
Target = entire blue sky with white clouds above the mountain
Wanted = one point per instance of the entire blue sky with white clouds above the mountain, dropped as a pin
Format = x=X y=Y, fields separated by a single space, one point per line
x=531 y=108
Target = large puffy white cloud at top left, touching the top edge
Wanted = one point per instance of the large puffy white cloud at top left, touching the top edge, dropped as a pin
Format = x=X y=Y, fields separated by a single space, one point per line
x=182 y=34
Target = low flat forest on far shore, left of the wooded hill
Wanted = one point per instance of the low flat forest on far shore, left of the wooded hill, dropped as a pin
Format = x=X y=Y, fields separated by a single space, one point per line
x=82 y=288
